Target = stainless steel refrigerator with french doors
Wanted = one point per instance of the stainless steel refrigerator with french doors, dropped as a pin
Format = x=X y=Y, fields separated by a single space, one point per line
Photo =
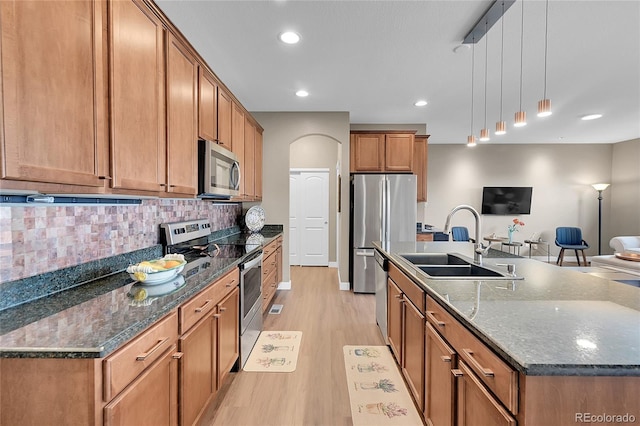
x=383 y=208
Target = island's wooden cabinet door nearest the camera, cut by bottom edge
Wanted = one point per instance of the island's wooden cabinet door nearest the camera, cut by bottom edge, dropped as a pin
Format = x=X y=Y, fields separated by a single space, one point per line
x=476 y=405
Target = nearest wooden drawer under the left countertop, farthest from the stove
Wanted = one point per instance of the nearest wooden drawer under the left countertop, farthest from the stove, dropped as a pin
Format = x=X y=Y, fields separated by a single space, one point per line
x=122 y=367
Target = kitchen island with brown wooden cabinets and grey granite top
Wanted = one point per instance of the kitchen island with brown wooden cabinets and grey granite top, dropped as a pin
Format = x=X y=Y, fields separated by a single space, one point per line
x=568 y=343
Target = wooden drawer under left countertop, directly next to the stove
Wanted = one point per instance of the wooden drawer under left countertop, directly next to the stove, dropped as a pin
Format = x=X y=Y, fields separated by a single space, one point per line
x=200 y=305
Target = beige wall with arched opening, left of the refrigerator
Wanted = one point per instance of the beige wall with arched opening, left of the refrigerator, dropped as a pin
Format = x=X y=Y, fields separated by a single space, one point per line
x=281 y=129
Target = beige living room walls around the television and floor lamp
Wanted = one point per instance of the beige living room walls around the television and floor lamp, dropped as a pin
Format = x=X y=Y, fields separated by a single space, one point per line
x=561 y=177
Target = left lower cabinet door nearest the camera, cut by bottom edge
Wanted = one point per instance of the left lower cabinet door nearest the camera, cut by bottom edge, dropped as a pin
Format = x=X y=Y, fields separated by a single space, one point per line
x=152 y=399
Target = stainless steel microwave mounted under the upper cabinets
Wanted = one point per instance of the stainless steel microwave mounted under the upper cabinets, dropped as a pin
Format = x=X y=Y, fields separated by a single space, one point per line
x=218 y=171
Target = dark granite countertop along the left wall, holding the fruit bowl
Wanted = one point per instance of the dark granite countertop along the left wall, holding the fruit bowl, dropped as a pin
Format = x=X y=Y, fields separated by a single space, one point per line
x=93 y=320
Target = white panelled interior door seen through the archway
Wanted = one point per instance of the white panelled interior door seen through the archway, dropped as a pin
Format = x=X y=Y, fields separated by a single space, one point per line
x=309 y=217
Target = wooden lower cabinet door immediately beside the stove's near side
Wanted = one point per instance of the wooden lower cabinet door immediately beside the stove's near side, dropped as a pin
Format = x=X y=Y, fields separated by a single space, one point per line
x=228 y=333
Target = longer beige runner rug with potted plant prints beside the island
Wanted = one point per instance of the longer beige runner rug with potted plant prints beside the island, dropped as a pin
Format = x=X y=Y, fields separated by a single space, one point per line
x=377 y=392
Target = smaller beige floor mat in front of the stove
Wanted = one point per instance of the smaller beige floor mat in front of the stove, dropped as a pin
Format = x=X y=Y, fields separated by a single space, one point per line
x=275 y=351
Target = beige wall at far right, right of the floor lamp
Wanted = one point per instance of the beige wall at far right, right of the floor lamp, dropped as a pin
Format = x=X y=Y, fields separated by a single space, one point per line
x=624 y=191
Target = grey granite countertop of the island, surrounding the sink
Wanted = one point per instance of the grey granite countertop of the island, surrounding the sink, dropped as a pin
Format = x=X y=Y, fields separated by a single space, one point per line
x=554 y=322
